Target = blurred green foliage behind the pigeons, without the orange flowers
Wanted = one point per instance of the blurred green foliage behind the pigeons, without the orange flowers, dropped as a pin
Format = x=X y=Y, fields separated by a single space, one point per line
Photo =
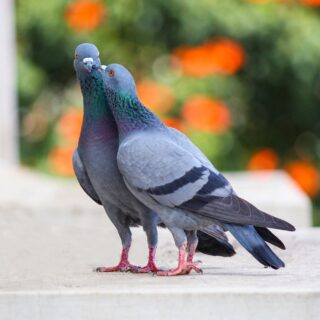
x=274 y=99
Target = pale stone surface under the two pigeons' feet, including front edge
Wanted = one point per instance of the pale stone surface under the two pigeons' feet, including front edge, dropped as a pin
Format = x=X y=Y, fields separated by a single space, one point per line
x=52 y=236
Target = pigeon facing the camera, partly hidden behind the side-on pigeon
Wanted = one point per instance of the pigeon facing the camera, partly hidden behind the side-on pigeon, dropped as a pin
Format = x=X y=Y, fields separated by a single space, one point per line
x=95 y=167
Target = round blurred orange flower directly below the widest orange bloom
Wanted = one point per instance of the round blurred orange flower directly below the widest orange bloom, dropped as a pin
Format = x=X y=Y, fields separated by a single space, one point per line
x=206 y=114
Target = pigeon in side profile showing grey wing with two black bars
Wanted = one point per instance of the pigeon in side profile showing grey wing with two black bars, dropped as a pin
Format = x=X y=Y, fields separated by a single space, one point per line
x=171 y=176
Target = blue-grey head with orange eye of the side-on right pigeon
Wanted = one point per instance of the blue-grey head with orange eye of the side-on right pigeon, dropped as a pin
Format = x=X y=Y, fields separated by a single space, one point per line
x=119 y=80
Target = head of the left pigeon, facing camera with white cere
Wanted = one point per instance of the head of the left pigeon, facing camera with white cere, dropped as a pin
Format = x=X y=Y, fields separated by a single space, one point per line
x=86 y=58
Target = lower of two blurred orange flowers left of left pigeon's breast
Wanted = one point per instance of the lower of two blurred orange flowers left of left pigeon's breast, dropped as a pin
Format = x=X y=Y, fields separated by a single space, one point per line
x=60 y=160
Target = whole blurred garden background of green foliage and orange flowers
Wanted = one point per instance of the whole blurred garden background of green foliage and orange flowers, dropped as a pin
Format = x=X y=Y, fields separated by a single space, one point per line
x=240 y=77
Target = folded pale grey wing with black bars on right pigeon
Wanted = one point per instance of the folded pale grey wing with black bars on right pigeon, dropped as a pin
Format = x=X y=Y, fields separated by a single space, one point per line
x=156 y=165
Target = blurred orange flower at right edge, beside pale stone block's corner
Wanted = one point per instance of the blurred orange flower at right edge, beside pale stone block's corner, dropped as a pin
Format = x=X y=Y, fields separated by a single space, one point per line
x=306 y=175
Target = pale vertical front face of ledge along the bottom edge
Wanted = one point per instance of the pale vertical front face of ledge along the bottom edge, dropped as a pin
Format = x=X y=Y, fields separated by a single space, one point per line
x=229 y=305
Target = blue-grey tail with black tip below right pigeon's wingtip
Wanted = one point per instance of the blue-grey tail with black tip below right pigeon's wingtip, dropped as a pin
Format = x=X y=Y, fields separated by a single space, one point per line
x=254 y=244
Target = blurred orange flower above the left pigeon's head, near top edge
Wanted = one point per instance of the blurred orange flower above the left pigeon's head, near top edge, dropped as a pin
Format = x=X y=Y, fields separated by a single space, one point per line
x=84 y=15
